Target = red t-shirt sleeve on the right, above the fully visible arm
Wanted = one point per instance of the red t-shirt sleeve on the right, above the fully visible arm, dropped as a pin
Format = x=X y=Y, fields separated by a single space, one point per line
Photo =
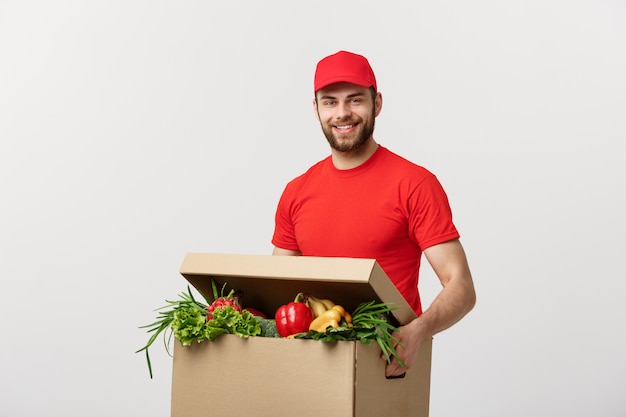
x=430 y=217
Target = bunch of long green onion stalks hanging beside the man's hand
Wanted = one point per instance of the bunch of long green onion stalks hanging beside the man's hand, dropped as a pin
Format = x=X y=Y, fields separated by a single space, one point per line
x=370 y=323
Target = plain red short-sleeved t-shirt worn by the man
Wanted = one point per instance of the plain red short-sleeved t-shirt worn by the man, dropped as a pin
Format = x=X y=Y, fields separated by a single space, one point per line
x=388 y=209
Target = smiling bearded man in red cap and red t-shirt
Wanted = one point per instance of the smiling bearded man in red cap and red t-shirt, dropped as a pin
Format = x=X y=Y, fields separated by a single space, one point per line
x=363 y=201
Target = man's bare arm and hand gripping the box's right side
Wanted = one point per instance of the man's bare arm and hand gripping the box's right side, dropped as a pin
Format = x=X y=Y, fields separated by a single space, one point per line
x=455 y=300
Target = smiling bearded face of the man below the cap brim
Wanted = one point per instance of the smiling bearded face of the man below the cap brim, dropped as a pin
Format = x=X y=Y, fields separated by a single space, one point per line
x=346 y=113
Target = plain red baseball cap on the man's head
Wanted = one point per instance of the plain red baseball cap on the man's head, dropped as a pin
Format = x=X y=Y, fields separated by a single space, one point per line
x=344 y=67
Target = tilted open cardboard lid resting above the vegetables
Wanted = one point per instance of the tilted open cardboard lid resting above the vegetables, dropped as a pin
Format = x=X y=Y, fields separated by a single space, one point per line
x=268 y=281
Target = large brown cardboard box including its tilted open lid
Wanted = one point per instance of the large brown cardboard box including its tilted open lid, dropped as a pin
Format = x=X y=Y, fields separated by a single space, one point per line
x=270 y=377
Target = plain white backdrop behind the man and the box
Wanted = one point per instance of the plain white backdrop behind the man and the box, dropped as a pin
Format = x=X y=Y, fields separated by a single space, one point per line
x=133 y=132
